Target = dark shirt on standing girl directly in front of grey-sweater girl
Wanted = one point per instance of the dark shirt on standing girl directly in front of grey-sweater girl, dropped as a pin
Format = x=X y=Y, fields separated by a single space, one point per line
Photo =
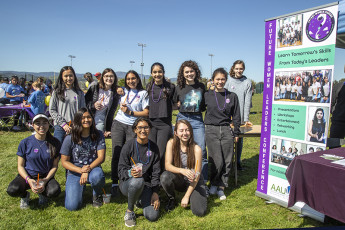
x=220 y=110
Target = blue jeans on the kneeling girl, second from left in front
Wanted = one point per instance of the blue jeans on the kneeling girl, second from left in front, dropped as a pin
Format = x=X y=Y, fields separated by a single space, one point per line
x=74 y=191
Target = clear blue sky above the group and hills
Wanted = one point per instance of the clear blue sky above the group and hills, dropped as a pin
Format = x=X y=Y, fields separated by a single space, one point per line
x=38 y=36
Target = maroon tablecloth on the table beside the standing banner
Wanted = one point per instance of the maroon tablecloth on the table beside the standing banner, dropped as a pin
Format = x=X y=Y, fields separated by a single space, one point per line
x=318 y=183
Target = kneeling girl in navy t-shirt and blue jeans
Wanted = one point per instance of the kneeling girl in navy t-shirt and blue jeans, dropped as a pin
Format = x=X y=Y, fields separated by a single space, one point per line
x=82 y=154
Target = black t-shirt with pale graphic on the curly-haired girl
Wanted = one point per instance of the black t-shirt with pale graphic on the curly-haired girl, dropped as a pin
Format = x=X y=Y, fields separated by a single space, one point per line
x=191 y=98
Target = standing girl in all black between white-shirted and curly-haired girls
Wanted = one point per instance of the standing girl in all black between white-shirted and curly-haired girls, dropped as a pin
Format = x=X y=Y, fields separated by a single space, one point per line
x=161 y=94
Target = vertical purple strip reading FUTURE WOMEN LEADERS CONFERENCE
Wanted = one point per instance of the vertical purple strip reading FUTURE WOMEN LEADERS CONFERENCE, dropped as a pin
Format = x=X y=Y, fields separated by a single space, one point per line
x=264 y=159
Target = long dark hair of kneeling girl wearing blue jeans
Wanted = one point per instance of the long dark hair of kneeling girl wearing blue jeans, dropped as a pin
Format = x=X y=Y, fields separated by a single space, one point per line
x=77 y=127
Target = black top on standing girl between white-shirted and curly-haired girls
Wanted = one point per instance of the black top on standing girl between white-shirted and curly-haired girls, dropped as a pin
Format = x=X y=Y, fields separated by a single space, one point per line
x=159 y=104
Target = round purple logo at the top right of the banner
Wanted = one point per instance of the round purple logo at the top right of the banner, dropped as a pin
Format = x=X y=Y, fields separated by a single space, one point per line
x=320 y=26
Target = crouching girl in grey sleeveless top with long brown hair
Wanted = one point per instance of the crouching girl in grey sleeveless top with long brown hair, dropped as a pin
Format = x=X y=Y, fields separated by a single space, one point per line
x=183 y=160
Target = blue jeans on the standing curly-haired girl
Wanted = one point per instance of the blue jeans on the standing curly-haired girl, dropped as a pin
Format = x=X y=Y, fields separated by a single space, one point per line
x=199 y=136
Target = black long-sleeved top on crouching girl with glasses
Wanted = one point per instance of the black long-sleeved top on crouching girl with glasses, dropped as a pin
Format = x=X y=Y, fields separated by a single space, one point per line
x=149 y=157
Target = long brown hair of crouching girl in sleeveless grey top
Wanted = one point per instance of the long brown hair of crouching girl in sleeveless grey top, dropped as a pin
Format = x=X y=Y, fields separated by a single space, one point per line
x=176 y=148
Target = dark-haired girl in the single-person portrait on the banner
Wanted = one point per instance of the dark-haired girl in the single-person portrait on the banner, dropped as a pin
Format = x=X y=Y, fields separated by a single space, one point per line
x=318 y=127
